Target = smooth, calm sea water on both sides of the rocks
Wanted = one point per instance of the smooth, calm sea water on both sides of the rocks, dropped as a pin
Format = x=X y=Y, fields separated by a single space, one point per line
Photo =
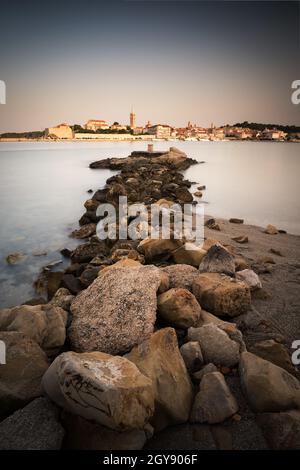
x=43 y=187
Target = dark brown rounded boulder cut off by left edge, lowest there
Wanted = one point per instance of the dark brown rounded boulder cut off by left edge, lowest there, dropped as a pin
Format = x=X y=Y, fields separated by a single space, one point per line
x=20 y=377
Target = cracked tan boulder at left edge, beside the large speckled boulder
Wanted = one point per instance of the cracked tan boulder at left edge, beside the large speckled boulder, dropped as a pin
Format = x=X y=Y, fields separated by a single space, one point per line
x=44 y=324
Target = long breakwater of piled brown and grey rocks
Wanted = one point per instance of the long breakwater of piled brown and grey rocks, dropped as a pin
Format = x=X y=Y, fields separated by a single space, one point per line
x=141 y=343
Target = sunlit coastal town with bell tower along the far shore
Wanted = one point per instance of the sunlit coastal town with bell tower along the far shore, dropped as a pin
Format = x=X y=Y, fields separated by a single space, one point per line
x=100 y=129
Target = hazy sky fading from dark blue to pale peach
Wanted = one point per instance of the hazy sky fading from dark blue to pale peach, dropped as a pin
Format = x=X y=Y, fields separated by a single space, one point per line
x=172 y=61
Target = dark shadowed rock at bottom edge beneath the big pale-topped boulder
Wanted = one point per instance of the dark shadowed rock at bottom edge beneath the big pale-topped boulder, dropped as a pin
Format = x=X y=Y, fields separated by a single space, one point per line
x=82 y=434
